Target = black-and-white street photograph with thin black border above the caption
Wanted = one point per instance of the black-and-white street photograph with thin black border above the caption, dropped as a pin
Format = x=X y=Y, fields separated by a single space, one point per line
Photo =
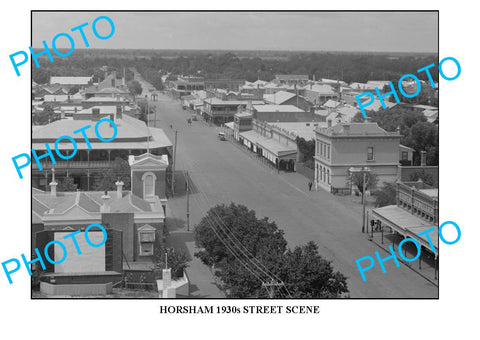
x=234 y=155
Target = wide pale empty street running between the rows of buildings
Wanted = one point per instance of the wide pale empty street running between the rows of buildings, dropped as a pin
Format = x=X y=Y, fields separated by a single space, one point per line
x=222 y=173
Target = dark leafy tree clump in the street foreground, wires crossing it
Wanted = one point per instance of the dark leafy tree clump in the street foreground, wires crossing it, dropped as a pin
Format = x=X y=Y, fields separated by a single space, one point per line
x=305 y=273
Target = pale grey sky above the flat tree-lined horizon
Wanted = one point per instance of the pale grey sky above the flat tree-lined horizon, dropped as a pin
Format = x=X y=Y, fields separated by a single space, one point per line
x=312 y=31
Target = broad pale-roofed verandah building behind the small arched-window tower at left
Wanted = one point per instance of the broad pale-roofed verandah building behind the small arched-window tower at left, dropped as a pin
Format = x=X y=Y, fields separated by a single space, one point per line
x=133 y=138
